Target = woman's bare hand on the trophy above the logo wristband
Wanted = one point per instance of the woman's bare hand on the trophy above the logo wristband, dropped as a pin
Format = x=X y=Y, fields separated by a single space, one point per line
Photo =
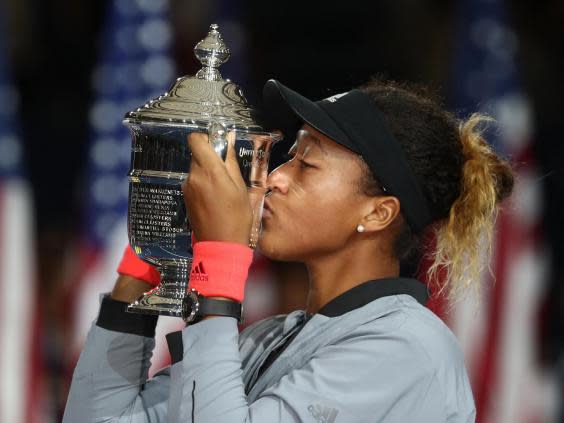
x=215 y=193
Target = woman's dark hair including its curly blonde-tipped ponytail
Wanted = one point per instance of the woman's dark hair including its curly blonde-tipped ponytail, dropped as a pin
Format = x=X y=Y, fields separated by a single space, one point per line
x=462 y=178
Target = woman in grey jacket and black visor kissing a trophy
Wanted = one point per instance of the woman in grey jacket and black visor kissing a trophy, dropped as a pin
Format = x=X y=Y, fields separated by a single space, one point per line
x=372 y=171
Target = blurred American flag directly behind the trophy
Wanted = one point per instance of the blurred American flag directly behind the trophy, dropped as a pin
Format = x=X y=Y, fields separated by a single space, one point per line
x=134 y=66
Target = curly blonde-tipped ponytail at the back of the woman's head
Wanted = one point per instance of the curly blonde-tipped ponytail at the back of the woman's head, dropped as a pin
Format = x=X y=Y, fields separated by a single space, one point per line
x=464 y=239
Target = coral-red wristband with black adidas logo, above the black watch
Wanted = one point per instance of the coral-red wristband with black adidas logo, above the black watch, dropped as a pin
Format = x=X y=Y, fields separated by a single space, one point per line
x=220 y=269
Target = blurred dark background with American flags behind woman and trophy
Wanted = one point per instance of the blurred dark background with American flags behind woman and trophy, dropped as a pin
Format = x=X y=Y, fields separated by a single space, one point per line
x=70 y=69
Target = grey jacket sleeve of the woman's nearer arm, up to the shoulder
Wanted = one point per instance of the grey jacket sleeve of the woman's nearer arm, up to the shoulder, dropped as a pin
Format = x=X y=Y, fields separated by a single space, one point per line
x=348 y=382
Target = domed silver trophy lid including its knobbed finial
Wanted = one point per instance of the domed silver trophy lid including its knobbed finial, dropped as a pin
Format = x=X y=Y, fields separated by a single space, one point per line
x=202 y=98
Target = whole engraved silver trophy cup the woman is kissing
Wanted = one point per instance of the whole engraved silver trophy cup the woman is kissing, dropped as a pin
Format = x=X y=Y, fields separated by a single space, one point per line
x=158 y=227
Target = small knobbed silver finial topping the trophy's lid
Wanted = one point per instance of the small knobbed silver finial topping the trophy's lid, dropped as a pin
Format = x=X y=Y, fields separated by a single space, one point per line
x=212 y=53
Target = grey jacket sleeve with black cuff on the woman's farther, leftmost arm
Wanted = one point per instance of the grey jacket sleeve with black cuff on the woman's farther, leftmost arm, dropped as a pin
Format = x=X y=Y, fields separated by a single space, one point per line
x=110 y=383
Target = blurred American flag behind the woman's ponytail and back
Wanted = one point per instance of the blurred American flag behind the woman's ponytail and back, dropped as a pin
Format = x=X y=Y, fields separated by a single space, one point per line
x=498 y=331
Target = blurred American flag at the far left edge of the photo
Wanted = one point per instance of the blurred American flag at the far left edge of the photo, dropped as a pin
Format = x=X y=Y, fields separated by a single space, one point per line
x=20 y=364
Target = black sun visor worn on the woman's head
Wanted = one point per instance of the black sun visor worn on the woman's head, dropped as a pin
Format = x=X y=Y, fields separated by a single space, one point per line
x=353 y=120
